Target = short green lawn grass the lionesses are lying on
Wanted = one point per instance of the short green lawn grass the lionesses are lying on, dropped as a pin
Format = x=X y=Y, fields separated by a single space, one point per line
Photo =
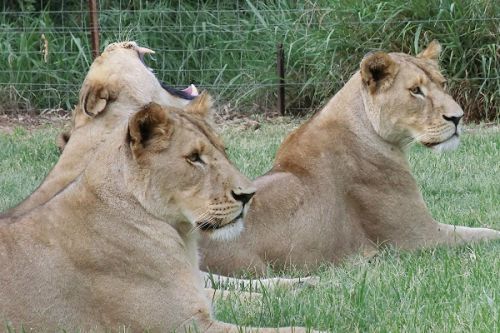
x=439 y=290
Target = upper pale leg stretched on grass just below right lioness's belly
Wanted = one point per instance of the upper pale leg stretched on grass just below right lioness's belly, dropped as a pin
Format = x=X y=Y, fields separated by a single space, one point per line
x=213 y=280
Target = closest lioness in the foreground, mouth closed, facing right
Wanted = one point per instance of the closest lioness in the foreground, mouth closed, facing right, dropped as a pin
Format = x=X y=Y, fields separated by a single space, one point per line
x=116 y=247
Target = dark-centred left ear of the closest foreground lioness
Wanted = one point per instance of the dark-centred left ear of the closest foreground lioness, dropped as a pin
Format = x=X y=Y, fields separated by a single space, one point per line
x=148 y=127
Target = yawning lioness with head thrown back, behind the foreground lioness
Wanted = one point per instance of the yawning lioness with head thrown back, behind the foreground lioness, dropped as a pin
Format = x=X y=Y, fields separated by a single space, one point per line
x=118 y=82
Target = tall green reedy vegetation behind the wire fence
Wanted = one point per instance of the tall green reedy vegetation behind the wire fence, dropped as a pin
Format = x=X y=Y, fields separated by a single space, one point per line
x=229 y=47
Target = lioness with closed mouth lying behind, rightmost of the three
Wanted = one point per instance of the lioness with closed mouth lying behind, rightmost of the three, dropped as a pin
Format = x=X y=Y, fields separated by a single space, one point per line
x=341 y=183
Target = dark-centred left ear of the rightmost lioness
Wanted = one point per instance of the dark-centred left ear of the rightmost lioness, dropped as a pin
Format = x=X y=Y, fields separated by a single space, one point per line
x=378 y=71
